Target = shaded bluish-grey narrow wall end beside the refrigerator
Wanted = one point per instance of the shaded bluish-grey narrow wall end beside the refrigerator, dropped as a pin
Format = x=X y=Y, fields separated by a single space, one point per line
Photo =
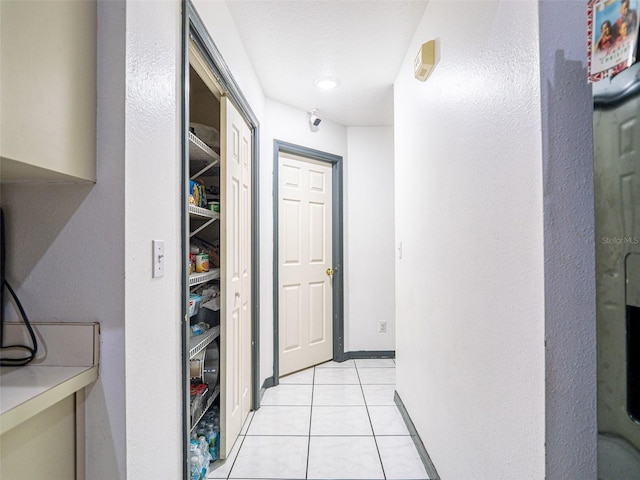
x=570 y=318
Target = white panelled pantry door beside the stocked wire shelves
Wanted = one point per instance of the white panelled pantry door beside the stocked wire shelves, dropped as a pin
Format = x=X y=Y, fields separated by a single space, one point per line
x=235 y=232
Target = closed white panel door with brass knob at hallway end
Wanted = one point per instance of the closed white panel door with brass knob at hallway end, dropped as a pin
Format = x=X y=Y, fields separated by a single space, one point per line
x=305 y=263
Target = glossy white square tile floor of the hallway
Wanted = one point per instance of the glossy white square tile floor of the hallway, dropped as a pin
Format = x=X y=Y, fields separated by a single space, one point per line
x=332 y=421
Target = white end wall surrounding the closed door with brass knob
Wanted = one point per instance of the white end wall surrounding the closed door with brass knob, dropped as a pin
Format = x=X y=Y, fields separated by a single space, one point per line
x=368 y=223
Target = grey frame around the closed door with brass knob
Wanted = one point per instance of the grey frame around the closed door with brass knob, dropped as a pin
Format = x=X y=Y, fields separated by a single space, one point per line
x=335 y=161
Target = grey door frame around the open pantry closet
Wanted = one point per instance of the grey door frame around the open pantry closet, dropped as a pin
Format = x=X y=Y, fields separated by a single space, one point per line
x=193 y=28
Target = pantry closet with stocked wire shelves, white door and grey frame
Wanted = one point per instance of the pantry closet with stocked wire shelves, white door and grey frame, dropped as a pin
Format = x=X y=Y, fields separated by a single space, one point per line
x=220 y=361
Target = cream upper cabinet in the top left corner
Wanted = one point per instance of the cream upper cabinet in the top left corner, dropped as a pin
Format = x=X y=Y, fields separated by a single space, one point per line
x=48 y=95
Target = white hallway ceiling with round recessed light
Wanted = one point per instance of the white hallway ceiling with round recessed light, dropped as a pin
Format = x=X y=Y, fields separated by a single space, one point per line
x=292 y=43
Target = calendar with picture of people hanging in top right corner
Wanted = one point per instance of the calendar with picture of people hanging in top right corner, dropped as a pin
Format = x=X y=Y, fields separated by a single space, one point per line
x=612 y=33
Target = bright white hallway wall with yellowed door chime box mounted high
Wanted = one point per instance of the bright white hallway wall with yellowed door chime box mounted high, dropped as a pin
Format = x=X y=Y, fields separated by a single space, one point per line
x=469 y=213
